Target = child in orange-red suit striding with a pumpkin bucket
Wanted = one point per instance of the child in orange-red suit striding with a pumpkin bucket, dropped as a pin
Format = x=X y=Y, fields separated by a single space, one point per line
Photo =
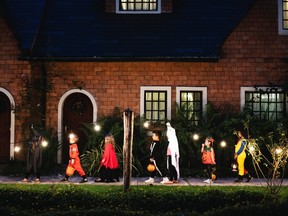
x=74 y=162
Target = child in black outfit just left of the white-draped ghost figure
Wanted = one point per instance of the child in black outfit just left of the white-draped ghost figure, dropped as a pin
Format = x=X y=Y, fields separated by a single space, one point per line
x=155 y=155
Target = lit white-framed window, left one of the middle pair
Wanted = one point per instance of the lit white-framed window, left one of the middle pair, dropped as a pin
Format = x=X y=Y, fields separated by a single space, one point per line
x=156 y=103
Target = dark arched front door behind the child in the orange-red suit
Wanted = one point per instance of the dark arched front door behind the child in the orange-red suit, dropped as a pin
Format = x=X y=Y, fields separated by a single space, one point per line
x=77 y=109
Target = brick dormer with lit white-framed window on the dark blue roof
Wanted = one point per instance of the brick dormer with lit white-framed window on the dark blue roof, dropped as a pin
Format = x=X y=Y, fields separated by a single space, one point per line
x=138 y=6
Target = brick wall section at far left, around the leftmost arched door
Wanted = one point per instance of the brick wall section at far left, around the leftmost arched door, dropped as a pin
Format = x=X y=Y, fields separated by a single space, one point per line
x=12 y=73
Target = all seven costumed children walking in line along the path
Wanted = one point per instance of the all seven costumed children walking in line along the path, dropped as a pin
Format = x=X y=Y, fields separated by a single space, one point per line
x=109 y=166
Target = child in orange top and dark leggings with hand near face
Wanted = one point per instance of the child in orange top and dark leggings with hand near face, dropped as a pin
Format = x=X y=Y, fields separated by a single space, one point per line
x=208 y=158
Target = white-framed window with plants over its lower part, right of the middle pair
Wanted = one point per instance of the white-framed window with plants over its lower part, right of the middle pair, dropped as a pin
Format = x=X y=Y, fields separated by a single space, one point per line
x=192 y=101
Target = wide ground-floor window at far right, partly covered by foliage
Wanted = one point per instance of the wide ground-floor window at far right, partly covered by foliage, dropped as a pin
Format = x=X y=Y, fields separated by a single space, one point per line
x=265 y=103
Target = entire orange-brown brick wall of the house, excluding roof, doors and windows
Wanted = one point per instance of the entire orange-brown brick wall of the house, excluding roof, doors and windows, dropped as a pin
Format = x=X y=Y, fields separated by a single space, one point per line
x=253 y=54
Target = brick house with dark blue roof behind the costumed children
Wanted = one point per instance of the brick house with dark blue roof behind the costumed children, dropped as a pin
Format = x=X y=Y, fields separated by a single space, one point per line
x=96 y=55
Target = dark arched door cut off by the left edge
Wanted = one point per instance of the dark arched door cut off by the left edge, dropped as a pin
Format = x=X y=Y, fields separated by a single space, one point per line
x=5 y=119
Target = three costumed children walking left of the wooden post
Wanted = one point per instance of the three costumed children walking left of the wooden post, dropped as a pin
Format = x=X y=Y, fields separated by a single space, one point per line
x=109 y=167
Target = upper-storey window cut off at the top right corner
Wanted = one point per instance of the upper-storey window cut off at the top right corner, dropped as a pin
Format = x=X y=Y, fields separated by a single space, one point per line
x=283 y=17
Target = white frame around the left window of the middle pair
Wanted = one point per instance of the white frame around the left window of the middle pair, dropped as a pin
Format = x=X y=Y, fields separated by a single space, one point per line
x=155 y=88
